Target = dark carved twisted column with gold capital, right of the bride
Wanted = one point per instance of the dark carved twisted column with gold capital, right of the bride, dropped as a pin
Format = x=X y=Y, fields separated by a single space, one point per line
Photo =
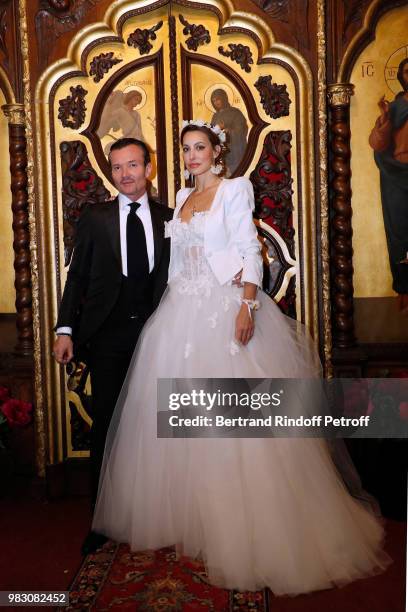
x=341 y=230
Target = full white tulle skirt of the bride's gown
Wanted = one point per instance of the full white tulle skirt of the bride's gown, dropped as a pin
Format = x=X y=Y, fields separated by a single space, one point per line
x=259 y=512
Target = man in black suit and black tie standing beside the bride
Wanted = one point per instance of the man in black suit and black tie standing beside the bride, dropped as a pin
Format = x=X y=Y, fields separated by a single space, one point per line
x=116 y=278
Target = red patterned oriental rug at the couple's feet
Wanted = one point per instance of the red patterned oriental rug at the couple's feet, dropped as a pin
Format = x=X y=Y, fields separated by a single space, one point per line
x=116 y=579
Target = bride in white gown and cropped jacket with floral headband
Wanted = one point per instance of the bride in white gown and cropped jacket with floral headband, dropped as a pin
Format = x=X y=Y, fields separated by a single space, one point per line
x=259 y=512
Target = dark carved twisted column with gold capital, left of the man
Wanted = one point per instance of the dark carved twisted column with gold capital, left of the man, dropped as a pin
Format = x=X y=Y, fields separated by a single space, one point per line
x=18 y=166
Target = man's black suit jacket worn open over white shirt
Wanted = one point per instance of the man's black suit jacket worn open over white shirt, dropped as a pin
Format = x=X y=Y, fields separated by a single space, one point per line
x=95 y=274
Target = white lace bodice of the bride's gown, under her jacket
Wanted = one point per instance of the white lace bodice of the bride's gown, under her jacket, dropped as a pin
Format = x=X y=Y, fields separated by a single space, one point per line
x=194 y=275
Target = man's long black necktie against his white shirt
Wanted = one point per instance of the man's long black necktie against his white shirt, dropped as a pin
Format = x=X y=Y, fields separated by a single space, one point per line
x=137 y=257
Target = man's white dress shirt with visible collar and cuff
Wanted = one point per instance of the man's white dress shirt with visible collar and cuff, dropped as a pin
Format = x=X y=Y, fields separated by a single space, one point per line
x=143 y=212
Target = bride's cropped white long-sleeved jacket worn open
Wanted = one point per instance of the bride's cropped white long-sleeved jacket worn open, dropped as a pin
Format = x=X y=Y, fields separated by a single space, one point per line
x=230 y=239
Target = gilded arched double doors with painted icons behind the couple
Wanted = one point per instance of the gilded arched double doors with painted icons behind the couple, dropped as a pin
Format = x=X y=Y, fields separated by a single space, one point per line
x=139 y=73
